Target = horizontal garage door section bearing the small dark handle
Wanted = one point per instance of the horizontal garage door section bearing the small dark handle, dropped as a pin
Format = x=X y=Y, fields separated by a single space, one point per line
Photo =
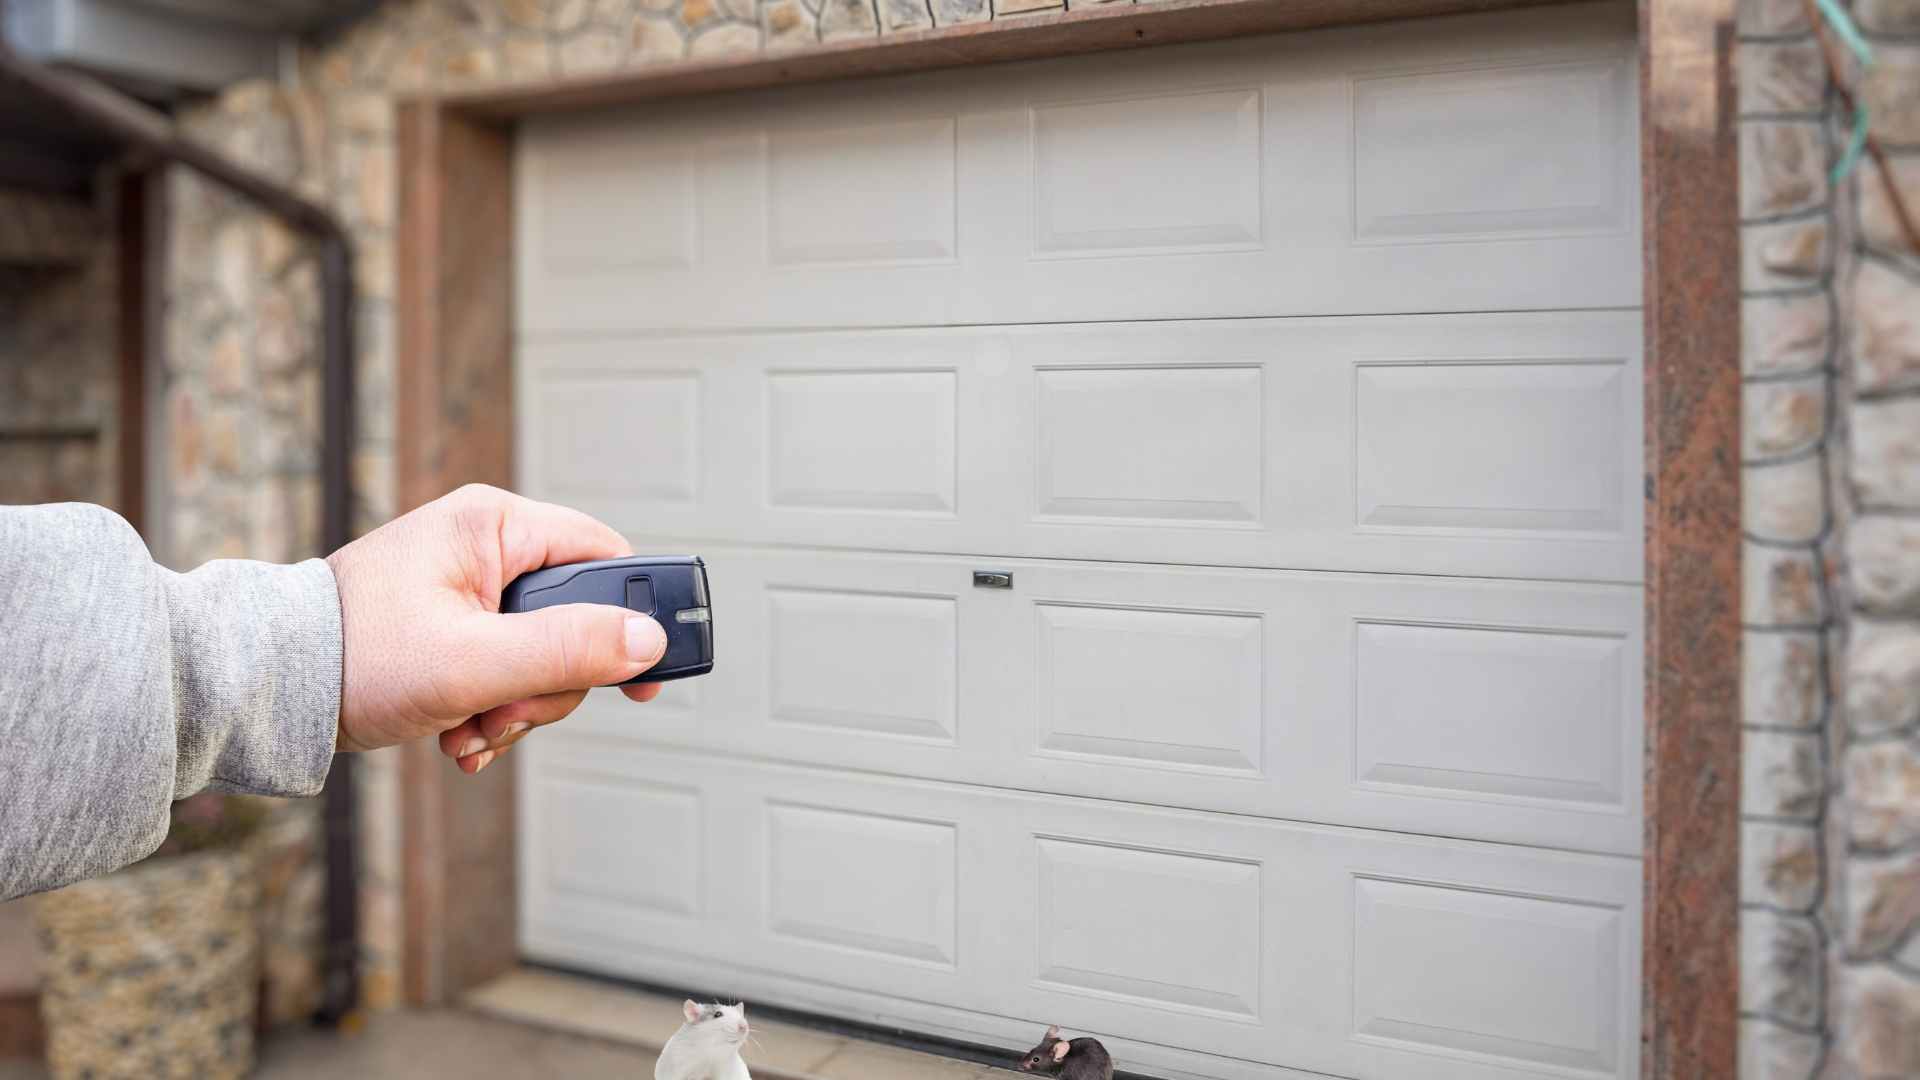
x=1464 y=708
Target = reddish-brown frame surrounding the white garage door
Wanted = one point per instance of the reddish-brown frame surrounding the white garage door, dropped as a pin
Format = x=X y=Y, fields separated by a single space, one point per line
x=456 y=426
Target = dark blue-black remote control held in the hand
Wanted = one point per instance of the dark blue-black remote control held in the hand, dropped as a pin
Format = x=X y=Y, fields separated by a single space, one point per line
x=673 y=589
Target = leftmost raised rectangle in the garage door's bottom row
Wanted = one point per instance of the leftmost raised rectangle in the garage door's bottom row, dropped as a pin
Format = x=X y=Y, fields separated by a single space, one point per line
x=652 y=860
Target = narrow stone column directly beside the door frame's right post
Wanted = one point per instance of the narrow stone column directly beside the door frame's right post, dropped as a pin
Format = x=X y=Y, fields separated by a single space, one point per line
x=1788 y=456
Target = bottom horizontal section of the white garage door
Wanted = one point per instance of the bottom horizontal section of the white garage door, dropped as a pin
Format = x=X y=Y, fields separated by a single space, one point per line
x=1335 y=950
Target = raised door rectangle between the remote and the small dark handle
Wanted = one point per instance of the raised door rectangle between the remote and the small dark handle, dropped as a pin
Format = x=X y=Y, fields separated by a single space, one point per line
x=863 y=662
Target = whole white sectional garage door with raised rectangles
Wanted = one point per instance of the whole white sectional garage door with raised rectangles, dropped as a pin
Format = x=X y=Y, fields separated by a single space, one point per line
x=1297 y=387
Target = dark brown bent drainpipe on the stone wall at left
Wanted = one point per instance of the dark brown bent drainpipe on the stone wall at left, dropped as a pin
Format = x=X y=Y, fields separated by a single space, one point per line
x=149 y=132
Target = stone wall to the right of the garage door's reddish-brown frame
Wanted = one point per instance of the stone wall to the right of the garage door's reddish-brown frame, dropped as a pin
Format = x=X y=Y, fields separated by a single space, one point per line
x=1831 y=322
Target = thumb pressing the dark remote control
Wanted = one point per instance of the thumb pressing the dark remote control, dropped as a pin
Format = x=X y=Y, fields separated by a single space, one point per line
x=573 y=647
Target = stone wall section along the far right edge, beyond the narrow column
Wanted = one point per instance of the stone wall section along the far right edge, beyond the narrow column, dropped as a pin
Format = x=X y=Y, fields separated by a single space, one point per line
x=1877 y=875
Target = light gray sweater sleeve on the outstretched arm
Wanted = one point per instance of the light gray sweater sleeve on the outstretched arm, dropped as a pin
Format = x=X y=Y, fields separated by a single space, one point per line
x=126 y=687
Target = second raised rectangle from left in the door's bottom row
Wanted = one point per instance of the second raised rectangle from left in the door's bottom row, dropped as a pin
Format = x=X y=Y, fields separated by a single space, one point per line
x=861 y=881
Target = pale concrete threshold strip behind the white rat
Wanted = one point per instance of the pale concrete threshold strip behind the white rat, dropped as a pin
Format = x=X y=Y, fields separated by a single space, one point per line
x=640 y=1019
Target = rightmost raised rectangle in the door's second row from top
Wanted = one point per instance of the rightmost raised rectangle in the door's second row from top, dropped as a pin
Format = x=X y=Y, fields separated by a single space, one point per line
x=1499 y=447
